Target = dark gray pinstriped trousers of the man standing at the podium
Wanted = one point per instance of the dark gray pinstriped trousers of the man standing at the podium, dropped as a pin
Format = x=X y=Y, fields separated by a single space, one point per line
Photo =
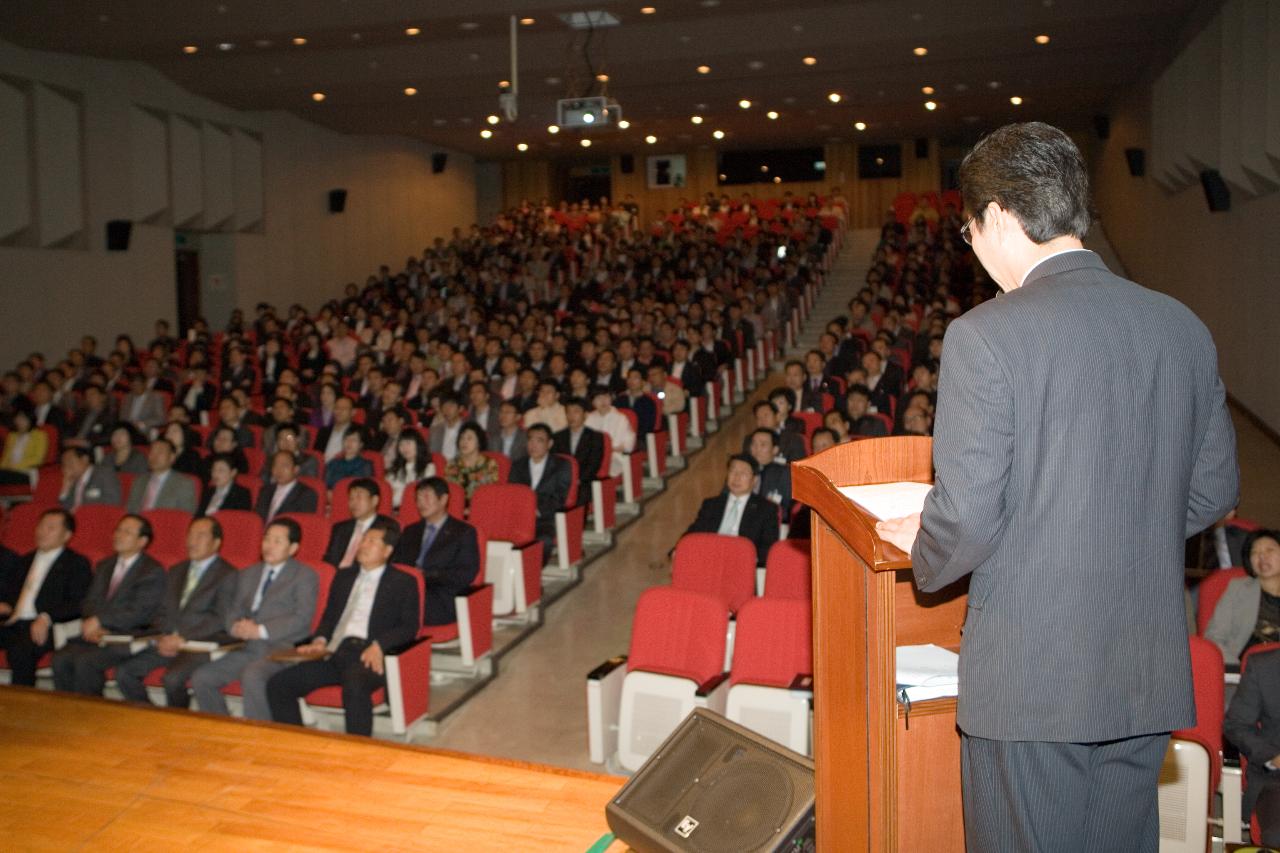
x=1036 y=797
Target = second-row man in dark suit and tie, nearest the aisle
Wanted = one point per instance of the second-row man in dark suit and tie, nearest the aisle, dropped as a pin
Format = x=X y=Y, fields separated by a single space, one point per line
x=445 y=550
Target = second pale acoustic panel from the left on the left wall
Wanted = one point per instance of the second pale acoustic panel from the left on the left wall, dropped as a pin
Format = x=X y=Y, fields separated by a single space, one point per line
x=60 y=168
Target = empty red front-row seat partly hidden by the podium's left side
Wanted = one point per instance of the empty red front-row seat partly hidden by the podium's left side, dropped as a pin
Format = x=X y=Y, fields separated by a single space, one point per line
x=772 y=649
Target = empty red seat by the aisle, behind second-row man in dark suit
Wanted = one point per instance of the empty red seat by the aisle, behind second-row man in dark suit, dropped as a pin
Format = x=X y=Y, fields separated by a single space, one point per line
x=508 y=516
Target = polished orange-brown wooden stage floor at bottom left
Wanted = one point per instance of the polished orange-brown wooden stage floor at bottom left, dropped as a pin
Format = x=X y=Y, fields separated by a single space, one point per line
x=81 y=773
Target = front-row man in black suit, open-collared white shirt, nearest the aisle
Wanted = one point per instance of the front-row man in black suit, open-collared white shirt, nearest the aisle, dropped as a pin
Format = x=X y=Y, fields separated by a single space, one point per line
x=373 y=610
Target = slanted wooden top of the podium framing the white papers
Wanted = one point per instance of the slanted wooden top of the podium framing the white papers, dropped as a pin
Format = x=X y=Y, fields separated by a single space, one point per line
x=816 y=481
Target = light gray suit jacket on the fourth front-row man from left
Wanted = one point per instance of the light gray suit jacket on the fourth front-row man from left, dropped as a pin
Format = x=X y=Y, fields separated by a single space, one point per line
x=287 y=609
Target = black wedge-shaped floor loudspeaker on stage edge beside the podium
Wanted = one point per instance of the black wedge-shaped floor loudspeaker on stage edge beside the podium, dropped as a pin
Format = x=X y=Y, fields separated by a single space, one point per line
x=715 y=787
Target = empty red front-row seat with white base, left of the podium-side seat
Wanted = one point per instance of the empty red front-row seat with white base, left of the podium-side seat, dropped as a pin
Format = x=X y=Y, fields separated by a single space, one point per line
x=675 y=665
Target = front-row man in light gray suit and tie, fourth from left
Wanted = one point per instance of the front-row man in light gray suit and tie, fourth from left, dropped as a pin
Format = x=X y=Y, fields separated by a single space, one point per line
x=276 y=603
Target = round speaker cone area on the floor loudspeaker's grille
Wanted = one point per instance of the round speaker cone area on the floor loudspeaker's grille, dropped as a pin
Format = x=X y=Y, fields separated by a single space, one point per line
x=742 y=808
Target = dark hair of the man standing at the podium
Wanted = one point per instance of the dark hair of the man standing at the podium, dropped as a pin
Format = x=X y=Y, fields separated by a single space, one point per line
x=1035 y=172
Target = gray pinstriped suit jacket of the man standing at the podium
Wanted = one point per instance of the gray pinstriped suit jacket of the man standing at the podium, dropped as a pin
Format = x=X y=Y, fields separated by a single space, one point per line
x=1081 y=437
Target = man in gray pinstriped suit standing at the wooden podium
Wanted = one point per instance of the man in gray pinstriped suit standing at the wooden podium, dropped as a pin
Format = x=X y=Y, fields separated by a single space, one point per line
x=1069 y=505
